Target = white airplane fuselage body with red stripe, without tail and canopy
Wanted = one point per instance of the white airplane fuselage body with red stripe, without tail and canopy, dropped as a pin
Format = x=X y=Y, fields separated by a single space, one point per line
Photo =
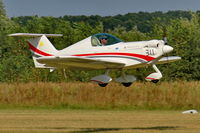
x=132 y=54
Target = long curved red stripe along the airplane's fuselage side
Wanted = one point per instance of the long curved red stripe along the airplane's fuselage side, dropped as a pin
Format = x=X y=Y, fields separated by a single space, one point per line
x=144 y=57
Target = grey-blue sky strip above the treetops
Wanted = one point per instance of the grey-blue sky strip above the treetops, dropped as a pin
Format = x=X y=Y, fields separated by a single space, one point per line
x=59 y=8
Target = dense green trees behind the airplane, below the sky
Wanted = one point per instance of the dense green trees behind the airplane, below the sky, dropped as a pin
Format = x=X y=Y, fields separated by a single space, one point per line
x=181 y=27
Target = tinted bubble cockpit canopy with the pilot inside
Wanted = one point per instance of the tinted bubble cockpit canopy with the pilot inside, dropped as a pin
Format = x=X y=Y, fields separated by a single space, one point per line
x=104 y=39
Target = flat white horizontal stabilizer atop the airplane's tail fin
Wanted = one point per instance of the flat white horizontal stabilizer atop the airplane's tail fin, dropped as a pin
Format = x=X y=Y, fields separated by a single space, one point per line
x=35 y=35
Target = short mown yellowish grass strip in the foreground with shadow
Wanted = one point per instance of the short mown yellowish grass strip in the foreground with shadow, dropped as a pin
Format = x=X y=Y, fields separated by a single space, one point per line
x=90 y=121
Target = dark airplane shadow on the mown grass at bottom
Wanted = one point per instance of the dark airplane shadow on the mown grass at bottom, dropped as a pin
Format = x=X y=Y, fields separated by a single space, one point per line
x=90 y=130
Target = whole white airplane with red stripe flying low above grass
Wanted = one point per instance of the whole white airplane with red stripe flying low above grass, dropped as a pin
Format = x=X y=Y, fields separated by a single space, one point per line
x=101 y=51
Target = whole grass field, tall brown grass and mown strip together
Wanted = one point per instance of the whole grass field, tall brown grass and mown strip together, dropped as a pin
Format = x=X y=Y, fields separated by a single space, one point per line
x=85 y=107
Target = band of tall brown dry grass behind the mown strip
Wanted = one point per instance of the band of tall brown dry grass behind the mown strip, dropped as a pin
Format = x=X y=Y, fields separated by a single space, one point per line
x=164 y=95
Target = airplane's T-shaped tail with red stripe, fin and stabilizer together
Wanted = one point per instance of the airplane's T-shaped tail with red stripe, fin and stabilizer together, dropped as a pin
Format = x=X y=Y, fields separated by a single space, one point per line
x=39 y=46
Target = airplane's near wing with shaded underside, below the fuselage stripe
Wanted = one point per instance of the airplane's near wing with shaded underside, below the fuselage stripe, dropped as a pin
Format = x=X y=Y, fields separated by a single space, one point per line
x=78 y=62
